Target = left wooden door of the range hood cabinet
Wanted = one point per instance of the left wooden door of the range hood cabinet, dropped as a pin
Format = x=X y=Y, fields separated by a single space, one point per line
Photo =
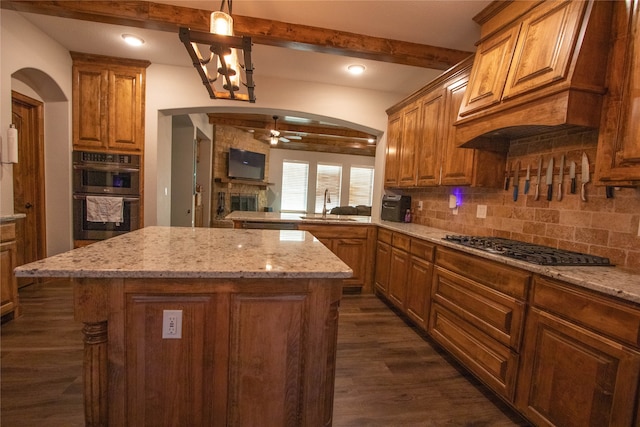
x=489 y=72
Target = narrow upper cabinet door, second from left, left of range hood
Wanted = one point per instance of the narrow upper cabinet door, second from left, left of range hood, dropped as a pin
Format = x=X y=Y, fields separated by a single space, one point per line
x=410 y=138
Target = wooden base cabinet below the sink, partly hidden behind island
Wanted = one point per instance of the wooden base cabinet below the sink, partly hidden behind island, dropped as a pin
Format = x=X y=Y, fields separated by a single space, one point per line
x=355 y=246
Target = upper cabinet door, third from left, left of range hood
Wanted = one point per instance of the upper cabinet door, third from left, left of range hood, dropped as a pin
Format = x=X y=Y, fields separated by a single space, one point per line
x=429 y=151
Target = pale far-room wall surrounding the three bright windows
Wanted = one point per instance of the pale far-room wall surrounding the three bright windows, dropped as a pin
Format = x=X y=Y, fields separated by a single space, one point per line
x=277 y=156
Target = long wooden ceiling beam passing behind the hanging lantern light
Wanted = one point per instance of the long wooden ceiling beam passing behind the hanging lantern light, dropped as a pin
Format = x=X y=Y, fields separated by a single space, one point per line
x=163 y=17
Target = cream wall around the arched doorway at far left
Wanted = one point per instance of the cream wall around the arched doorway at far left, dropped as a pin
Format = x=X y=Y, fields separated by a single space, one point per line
x=26 y=51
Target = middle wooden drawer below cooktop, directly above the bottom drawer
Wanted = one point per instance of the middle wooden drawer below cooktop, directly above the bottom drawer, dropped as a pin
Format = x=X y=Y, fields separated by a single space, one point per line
x=498 y=315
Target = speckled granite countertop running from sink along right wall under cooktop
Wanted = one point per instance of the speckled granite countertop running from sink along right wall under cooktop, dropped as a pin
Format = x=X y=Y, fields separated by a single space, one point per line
x=615 y=281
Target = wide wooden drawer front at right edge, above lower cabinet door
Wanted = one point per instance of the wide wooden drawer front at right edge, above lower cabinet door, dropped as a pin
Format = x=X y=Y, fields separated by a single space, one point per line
x=616 y=320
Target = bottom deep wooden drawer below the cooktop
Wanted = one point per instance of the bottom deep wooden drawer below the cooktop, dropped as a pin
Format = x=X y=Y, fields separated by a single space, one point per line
x=494 y=364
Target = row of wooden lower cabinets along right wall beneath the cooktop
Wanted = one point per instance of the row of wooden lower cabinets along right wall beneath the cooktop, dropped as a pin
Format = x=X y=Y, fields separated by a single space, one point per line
x=559 y=354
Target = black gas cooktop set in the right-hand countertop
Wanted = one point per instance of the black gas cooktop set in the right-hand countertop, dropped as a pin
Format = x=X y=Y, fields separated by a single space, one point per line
x=529 y=252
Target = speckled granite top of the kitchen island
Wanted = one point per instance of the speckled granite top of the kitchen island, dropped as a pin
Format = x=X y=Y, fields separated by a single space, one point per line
x=181 y=252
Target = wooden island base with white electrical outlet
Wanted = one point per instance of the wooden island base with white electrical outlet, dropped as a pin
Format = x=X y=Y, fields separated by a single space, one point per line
x=249 y=352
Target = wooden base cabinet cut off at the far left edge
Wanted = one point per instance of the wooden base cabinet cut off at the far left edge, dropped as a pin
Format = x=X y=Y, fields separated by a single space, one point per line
x=9 y=300
